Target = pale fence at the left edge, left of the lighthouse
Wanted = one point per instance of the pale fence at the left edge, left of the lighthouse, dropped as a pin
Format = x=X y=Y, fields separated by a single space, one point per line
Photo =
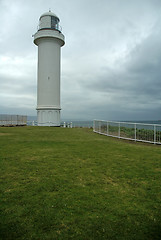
x=12 y=120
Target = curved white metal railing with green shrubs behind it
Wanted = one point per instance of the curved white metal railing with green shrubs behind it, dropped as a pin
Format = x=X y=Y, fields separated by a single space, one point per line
x=150 y=133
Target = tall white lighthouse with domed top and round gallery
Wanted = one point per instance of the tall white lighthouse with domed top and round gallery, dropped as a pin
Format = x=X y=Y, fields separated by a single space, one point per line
x=49 y=40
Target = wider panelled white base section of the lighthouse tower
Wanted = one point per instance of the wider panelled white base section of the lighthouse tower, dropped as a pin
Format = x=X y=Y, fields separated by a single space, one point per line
x=48 y=117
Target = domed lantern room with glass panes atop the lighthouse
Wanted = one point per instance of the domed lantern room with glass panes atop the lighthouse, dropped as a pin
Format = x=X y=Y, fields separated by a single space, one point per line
x=49 y=20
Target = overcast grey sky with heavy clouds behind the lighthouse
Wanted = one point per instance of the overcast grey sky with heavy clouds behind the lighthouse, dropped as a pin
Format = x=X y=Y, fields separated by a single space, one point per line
x=111 y=61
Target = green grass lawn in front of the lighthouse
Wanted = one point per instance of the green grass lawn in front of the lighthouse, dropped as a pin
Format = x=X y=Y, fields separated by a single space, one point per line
x=61 y=183
